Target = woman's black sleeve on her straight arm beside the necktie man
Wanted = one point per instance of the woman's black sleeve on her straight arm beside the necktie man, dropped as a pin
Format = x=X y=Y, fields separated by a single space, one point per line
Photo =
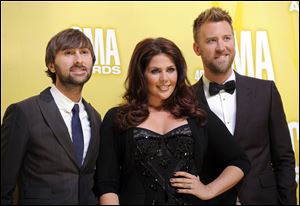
x=108 y=163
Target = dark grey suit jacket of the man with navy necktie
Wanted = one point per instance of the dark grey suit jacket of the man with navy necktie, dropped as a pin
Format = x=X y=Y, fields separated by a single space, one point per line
x=38 y=155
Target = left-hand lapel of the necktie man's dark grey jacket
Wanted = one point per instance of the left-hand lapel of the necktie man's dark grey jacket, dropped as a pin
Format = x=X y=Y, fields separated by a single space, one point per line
x=55 y=121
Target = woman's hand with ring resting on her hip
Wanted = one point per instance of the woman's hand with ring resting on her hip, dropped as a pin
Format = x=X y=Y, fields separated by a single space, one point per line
x=190 y=184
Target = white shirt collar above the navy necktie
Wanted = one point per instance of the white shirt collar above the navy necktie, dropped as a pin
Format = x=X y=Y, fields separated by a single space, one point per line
x=62 y=101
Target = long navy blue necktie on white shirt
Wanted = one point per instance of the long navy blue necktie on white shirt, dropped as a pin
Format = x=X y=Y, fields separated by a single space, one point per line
x=77 y=134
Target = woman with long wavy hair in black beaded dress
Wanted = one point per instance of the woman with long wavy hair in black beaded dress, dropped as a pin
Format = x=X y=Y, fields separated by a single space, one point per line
x=153 y=145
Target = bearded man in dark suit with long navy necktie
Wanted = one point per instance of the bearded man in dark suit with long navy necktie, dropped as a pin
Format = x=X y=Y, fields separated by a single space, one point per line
x=50 y=142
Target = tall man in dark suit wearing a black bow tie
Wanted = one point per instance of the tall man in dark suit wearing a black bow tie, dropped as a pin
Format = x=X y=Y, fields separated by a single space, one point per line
x=252 y=111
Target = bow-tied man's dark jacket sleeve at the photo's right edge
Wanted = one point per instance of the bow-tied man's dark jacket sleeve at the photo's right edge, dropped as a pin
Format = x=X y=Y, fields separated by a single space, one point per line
x=283 y=160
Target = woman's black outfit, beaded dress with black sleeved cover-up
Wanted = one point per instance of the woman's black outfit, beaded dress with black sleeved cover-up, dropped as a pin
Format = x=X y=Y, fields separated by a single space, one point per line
x=137 y=163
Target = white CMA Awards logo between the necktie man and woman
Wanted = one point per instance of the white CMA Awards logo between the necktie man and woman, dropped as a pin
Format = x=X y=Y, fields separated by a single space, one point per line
x=105 y=48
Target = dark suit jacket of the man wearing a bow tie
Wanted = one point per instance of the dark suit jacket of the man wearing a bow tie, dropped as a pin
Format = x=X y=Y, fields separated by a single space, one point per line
x=261 y=130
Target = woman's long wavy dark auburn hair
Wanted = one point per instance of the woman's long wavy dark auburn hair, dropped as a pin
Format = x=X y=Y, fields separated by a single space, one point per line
x=182 y=102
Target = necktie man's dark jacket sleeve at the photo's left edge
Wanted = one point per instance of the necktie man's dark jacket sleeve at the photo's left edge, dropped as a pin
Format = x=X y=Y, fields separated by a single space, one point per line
x=14 y=138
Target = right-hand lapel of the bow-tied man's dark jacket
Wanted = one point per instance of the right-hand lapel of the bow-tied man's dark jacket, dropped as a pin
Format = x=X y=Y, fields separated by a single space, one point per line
x=244 y=96
